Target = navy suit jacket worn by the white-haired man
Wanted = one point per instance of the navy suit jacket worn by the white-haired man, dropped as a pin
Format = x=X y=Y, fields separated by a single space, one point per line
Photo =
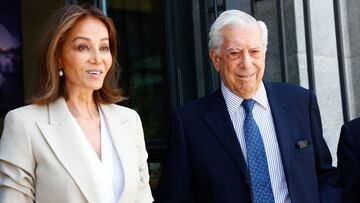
x=205 y=163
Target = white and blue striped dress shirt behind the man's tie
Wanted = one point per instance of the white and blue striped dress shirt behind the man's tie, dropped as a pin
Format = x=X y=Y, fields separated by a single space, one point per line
x=264 y=120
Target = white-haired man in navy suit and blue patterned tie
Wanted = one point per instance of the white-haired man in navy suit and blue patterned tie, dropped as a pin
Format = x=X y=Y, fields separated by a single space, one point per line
x=250 y=141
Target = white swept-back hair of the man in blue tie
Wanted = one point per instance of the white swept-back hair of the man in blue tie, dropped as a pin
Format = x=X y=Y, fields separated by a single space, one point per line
x=234 y=18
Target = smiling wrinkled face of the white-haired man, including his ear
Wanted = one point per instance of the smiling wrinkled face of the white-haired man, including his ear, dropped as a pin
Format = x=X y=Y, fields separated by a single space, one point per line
x=241 y=59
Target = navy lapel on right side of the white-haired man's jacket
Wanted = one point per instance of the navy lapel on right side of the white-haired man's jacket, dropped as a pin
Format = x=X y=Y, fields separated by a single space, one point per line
x=281 y=109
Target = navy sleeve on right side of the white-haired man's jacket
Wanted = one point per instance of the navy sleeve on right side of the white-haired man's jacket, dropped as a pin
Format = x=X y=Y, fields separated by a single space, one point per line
x=327 y=175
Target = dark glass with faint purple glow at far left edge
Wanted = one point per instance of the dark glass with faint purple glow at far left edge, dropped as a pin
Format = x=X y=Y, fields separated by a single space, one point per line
x=10 y=57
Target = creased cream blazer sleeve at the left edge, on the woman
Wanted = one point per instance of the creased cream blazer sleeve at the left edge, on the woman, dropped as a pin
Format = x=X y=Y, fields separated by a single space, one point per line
x=17 y=163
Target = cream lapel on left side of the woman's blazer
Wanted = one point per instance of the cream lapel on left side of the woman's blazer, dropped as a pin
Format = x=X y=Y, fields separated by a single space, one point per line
x=63 y=138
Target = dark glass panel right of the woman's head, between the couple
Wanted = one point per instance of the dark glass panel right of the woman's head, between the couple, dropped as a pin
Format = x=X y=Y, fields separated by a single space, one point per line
x=142 y=56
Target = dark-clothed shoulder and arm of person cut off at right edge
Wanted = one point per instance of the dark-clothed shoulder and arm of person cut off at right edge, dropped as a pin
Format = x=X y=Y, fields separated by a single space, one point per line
x=349 y=161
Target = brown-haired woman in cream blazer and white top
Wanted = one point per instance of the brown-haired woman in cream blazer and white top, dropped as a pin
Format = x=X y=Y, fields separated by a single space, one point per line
x=73 y=144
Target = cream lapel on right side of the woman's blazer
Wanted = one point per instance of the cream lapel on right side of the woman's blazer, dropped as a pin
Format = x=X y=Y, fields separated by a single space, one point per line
x=122 y=135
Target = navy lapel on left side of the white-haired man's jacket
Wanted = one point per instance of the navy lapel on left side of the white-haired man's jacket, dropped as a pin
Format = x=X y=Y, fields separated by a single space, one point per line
x=220 y=122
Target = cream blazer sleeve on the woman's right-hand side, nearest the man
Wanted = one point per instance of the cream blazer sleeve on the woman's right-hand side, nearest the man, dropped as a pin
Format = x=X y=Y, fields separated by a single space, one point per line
x=144 y=191
